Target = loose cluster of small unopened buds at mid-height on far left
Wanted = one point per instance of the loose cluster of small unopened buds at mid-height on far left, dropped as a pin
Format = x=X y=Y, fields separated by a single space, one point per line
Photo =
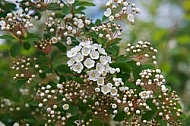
x=26 y=68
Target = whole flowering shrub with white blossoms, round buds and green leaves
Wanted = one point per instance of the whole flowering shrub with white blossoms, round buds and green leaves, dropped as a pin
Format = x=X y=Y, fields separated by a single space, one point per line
x=77 y=73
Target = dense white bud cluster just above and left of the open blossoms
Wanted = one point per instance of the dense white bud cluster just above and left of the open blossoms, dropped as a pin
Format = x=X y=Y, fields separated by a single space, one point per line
x=67 y=27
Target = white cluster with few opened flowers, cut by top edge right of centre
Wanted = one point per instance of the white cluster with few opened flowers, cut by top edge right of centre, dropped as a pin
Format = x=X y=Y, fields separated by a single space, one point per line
x=118 y=9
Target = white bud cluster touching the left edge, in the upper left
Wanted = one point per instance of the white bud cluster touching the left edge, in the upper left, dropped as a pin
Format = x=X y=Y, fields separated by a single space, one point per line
x=16 y=23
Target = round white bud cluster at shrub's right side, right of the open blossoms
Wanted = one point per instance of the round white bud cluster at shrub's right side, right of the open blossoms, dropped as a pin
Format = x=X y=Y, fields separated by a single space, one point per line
x=142 y=53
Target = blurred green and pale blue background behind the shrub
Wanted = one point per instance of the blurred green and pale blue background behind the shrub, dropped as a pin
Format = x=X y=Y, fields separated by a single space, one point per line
x=165 y=23
